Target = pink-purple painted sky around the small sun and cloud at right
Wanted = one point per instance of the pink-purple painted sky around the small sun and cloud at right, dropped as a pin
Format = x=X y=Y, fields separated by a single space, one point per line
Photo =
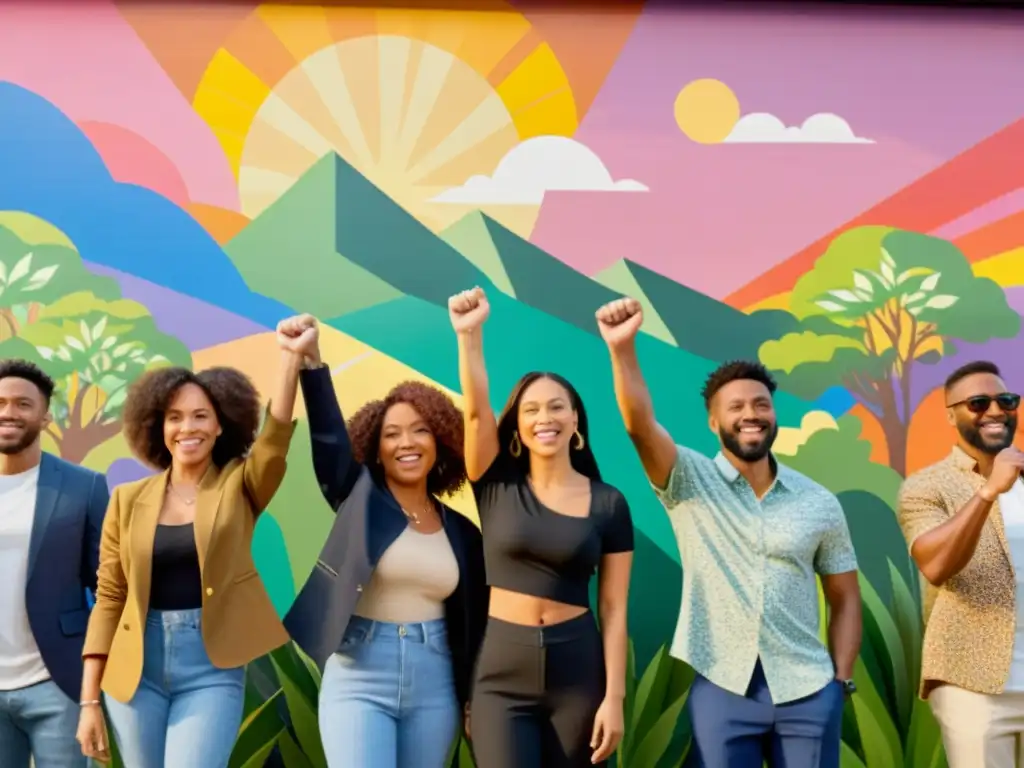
x=718 y=217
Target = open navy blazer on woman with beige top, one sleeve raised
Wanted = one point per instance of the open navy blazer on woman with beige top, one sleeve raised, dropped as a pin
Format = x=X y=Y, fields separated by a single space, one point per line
x=368 y=522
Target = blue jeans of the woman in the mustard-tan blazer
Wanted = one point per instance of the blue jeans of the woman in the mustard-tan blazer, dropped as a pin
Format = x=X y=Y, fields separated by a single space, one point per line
x=187 y=712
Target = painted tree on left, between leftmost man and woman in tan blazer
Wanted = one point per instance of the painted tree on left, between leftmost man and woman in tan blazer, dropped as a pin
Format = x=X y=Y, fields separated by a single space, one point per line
x=96 y=350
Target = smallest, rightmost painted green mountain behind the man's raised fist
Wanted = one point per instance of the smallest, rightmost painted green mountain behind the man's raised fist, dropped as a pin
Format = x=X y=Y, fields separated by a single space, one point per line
x=698 y=323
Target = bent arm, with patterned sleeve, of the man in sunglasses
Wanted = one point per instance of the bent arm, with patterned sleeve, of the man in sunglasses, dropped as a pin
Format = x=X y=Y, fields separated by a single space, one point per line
x=943 y=544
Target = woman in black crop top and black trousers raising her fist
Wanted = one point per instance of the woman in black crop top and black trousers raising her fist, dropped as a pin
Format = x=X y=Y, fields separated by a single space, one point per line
x=549 y=687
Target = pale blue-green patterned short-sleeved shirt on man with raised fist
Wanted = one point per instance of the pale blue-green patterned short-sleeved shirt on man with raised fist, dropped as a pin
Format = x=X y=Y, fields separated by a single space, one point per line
x=749 y=585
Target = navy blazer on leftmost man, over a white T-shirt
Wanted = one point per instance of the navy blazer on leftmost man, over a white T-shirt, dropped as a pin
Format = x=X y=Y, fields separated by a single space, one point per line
x=64 y=557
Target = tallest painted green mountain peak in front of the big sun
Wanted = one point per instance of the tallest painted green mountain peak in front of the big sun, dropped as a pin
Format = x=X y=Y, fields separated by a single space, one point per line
x=335 y=244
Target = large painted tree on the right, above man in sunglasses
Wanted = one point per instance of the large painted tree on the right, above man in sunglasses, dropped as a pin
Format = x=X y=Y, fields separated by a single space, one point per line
x=880 y=304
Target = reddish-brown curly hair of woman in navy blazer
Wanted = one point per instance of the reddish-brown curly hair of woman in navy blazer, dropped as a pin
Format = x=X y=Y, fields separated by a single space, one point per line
x=444 y=419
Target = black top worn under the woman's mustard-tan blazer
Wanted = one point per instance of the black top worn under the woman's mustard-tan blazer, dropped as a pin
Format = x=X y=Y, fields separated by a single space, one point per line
x=177 y=584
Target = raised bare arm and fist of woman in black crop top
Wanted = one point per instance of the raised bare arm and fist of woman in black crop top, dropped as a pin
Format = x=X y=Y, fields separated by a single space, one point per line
x=468 y=311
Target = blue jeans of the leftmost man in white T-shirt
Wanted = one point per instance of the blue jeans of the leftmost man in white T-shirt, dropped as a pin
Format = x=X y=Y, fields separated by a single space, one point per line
x=39 y=722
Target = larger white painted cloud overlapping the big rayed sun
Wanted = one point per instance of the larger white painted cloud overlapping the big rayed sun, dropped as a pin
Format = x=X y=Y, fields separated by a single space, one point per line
x=534 y=167
